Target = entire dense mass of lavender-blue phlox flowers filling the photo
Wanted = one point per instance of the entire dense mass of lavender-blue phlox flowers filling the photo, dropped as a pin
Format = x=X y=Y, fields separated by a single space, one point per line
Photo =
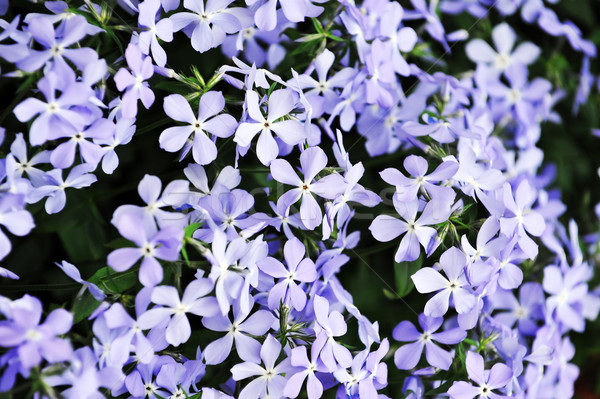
x=233 y=281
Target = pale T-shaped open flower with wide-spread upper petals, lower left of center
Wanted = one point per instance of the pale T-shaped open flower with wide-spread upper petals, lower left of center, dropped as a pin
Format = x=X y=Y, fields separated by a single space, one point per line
x=194 y=301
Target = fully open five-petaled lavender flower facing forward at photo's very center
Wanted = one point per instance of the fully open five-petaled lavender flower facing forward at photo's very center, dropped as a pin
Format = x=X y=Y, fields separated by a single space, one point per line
x=313 y=160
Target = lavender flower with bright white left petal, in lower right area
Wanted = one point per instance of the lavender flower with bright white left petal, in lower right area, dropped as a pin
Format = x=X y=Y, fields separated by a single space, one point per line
x=427 y=279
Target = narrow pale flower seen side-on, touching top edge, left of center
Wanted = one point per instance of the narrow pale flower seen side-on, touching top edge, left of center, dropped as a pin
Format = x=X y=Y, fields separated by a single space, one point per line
x=163 y=29
